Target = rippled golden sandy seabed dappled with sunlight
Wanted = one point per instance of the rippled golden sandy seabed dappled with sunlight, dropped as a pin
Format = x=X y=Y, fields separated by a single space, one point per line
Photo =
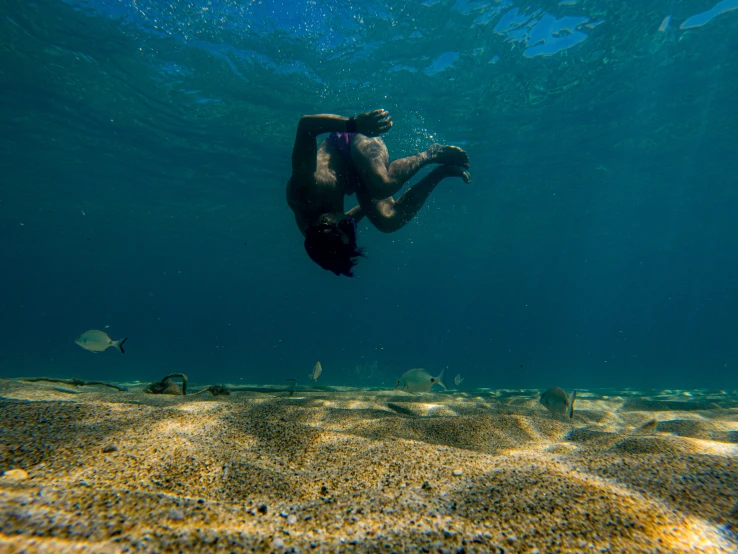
x=347 y=470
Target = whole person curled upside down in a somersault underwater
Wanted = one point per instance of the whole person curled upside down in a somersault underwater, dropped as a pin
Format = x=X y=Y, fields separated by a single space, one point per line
x=354 y=160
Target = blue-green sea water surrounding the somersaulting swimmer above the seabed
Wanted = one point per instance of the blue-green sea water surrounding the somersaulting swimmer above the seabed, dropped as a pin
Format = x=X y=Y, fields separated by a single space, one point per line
x=145 y=150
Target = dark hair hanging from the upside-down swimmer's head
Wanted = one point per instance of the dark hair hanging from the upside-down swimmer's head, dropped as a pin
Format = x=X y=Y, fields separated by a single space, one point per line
x=333 y=246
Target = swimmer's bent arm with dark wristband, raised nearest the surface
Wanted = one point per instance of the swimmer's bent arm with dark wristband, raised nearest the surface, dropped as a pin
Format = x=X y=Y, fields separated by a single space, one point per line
x=305 y=151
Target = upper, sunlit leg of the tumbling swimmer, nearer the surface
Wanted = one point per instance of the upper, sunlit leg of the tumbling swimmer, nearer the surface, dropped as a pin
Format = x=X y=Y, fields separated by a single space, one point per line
x=381 y=178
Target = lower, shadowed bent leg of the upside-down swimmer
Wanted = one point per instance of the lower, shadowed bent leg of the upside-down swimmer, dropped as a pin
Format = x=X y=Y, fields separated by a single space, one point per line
x=389 y=215
